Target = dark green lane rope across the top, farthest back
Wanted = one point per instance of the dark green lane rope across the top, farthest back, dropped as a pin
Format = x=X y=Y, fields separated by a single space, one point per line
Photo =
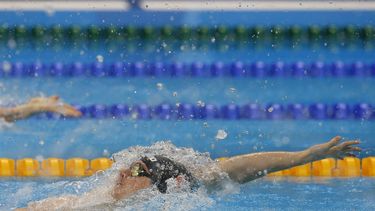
x=313 y=33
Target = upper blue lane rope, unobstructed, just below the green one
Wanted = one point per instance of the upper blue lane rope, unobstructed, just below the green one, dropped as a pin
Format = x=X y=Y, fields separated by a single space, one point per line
x=256 y=69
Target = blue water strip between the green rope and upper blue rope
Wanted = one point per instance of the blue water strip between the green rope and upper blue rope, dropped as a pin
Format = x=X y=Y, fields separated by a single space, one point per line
x=167 y=51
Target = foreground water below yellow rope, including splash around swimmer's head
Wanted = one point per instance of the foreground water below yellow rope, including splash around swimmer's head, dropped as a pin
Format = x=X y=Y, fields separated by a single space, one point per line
x=270 y=193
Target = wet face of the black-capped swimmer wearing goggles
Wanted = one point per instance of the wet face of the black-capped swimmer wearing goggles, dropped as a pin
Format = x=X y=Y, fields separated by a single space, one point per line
x=127 y=184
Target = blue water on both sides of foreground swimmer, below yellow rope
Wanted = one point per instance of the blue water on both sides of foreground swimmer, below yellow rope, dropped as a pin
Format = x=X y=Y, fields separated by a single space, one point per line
x=263 y=194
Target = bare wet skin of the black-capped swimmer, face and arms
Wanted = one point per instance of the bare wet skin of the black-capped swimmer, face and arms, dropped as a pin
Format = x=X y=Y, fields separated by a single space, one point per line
x=241 y=168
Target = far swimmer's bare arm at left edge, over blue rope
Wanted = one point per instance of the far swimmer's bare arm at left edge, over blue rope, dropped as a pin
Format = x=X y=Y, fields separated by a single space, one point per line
x=38 y=105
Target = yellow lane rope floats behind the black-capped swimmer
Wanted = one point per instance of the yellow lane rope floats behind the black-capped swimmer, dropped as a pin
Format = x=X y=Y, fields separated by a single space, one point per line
x=78 y=167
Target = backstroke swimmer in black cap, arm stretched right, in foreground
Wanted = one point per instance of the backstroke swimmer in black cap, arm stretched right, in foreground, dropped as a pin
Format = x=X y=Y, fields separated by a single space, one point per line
x=155 y=171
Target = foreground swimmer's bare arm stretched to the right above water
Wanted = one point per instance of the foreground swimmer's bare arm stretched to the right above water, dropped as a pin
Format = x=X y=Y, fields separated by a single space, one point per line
x=244 y=168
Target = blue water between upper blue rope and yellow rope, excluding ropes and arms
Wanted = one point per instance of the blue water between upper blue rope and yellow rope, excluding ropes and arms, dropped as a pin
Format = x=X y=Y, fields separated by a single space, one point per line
x=89 y=138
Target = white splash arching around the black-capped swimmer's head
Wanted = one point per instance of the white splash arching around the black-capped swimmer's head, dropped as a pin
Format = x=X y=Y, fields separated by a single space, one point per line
x=94 y=193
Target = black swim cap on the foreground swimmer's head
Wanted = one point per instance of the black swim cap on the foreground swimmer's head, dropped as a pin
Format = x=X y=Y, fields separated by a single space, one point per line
x=162 y=168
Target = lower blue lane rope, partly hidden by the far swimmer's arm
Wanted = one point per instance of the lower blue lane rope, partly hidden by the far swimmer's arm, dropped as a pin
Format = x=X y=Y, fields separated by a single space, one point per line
x=186 y=111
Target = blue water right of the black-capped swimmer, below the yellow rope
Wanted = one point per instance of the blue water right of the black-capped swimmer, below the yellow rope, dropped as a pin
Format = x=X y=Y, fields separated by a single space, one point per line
x=335 y=194
